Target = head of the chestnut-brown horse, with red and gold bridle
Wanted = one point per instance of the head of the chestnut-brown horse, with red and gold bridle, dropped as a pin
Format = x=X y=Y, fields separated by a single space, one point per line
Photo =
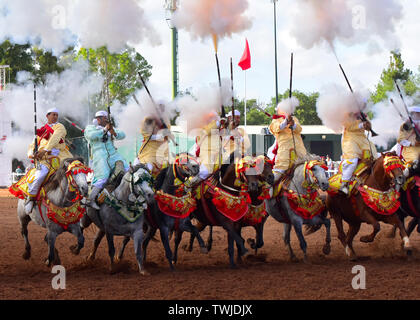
x=392 y=169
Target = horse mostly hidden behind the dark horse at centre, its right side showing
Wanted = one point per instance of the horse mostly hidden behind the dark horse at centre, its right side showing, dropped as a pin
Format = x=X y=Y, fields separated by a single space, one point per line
x=256 y=215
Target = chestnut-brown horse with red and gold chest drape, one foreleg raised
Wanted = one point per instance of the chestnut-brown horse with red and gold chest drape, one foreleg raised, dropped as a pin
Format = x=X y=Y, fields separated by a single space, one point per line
x=363 y=205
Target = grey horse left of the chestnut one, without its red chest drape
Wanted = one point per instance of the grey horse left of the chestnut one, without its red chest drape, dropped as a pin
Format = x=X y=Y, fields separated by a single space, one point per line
x=280 y=209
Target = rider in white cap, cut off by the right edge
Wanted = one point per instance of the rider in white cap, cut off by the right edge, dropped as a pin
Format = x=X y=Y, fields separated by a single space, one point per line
x=408 y=139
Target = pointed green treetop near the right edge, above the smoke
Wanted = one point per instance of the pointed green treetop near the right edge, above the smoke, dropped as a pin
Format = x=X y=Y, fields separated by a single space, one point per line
x=395 y=71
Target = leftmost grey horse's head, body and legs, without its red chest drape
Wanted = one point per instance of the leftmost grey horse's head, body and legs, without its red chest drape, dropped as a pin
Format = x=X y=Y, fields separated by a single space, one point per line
x=61 y=191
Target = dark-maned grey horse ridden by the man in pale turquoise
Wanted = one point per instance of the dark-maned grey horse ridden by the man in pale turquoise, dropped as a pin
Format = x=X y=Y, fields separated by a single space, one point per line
x=122 y=214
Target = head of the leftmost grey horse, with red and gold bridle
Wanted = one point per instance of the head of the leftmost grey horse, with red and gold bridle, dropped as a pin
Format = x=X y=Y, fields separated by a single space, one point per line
x=76 y=173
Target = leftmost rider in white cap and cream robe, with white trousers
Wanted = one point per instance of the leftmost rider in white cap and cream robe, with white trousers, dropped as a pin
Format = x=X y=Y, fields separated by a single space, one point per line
x=51 y=143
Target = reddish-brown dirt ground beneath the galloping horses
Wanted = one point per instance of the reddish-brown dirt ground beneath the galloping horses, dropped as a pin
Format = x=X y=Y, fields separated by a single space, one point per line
x=269 y=275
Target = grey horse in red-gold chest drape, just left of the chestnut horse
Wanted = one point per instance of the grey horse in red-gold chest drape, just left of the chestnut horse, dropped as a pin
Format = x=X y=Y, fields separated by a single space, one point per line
x=298 y=202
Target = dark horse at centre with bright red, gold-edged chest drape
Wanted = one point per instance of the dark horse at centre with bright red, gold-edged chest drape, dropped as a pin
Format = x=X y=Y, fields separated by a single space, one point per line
x=226 y=201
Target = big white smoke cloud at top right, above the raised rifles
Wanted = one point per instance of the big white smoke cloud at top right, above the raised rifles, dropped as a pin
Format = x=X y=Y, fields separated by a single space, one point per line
x=347 y=21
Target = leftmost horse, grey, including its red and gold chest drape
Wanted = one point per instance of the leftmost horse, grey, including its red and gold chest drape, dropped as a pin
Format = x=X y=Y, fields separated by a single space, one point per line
x=59 y=210
